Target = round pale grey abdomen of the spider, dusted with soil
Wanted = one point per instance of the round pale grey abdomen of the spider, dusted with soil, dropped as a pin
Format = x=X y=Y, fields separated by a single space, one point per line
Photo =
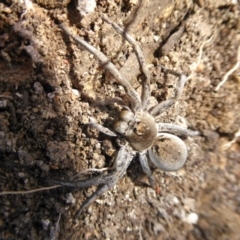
x=168 y=153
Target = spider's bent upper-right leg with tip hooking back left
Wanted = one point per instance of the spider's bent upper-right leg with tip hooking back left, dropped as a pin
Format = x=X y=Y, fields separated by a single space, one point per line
x=163 y=106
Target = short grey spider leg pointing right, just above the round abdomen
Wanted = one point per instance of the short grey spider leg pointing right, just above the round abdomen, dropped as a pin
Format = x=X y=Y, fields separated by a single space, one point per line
x=175 y=129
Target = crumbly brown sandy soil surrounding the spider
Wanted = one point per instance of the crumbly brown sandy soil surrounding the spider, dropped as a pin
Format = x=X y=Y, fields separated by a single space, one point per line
x=50 y=87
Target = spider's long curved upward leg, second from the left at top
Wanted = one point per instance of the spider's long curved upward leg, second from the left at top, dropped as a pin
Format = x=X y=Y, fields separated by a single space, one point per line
x=141 y=60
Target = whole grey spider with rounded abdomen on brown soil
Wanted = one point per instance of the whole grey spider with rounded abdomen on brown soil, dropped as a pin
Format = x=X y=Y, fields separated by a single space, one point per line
x=136 y=127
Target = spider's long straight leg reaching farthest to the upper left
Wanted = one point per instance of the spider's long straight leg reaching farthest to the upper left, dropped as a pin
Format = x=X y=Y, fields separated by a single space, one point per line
x=108 y=65
